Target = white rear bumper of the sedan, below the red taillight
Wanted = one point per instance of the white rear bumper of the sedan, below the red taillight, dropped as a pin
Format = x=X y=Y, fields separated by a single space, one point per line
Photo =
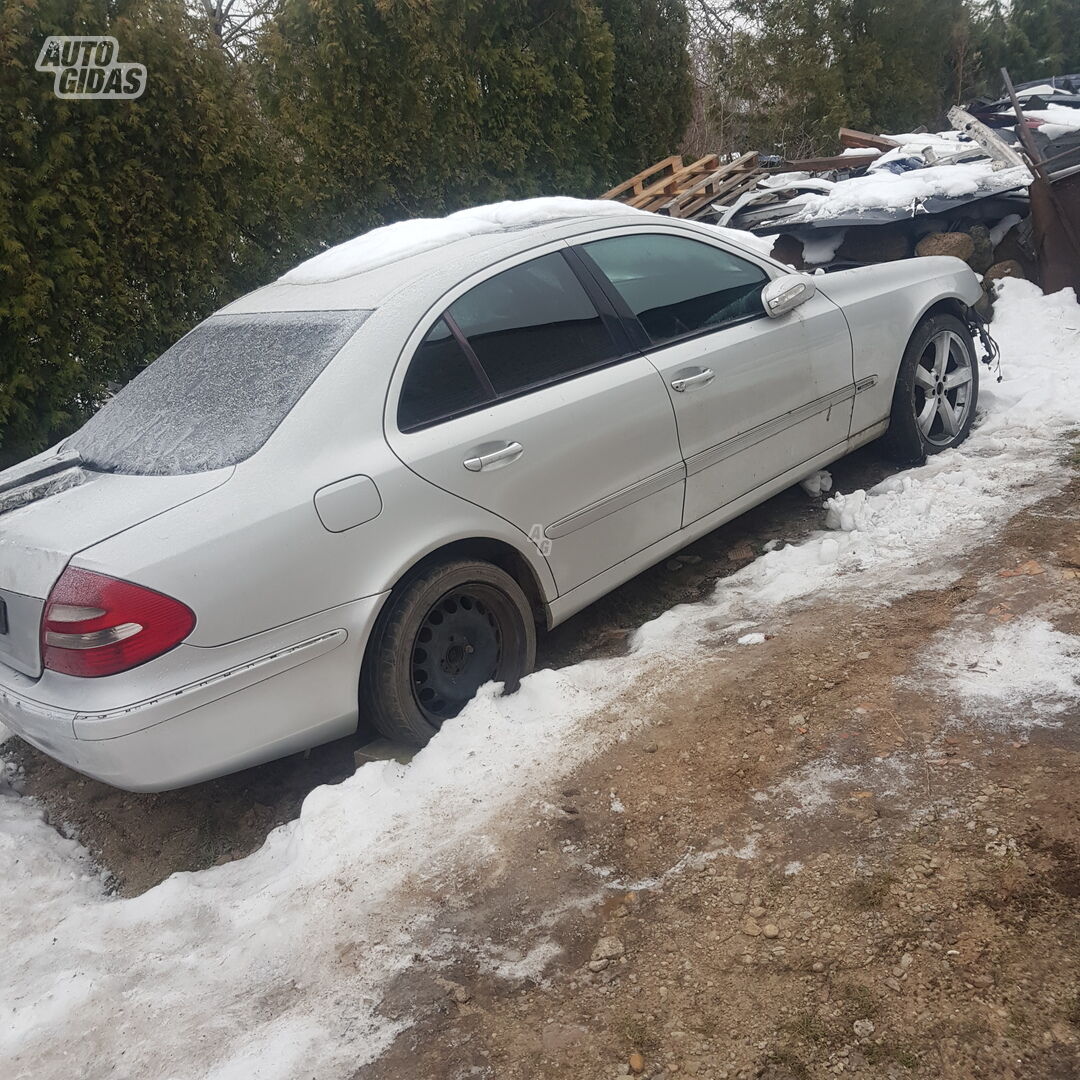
x=240 y=707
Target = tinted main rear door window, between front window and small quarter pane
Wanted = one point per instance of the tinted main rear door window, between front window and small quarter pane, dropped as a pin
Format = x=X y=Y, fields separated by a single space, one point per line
x=533 y=325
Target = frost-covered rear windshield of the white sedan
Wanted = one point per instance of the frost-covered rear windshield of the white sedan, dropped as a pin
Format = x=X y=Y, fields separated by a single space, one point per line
x=215 y=397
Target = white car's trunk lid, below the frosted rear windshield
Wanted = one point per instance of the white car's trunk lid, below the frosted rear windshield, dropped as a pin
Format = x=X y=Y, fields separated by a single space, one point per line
x=50 y=514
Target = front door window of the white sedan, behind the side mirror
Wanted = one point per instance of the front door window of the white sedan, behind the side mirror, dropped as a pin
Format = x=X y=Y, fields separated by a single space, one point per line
x=678 y=287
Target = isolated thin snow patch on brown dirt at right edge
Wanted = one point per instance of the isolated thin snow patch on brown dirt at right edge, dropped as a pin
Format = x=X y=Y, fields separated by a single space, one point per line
x=1022 y=674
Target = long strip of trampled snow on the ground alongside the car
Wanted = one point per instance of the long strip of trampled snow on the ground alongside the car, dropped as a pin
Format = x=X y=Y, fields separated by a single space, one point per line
x=273 y=967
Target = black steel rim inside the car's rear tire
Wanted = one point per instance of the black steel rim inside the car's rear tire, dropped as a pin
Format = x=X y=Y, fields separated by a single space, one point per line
x=461 y=645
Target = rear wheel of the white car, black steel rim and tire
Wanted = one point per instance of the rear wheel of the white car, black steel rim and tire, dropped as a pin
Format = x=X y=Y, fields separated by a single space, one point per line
x=444 y=633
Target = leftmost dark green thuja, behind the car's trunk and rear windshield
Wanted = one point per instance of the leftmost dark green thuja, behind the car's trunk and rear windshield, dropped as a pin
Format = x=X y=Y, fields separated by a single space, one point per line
x=121 y=222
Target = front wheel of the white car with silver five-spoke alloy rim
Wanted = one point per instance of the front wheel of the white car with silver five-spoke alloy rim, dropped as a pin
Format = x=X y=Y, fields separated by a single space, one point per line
x=941 y=353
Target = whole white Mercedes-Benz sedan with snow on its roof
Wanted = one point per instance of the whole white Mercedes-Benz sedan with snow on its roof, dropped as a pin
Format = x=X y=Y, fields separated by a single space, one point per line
x=359 y=491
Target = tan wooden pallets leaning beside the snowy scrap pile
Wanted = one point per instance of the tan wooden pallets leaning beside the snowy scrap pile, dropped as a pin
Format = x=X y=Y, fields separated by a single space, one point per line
x=680 y=191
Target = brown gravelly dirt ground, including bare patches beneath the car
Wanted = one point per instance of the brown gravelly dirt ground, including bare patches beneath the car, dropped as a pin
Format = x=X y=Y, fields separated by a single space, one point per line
x=852 y=849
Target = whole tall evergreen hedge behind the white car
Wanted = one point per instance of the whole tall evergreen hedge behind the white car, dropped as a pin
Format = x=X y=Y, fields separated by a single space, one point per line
x=124 y=223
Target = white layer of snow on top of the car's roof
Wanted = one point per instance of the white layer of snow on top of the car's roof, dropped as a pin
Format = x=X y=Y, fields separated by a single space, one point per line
x=406 y=239
